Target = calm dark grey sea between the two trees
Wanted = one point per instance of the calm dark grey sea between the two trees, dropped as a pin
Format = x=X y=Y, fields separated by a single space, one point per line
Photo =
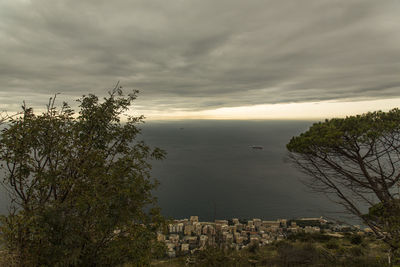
x=211 y=170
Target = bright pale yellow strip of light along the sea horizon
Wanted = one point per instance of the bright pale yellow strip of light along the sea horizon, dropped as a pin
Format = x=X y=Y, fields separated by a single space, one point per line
x=296 y=111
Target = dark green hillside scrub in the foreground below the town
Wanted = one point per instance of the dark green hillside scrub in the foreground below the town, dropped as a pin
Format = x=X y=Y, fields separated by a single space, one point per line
x=293 y=253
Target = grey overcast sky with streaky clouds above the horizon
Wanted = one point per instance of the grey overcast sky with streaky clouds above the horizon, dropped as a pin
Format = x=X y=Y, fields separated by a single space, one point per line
x=193 y=58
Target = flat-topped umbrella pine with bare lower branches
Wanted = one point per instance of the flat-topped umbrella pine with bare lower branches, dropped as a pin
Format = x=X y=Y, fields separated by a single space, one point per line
x=356 y=162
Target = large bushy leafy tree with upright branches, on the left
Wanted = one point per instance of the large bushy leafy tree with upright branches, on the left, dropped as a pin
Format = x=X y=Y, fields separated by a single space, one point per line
x=80 y=185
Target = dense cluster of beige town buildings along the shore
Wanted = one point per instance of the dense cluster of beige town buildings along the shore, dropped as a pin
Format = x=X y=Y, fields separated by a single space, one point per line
x=190 y=235
